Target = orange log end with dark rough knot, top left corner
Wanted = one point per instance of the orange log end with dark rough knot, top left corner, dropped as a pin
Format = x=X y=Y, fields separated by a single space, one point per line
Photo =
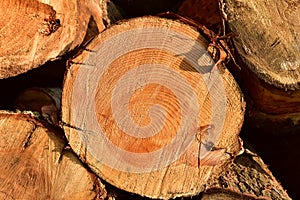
x=33 y=32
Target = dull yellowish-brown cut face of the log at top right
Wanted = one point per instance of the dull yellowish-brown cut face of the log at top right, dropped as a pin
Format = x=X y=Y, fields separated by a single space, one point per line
x=269 y=45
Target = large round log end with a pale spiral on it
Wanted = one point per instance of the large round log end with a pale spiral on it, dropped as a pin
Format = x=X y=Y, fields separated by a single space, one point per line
x=149 y=112
